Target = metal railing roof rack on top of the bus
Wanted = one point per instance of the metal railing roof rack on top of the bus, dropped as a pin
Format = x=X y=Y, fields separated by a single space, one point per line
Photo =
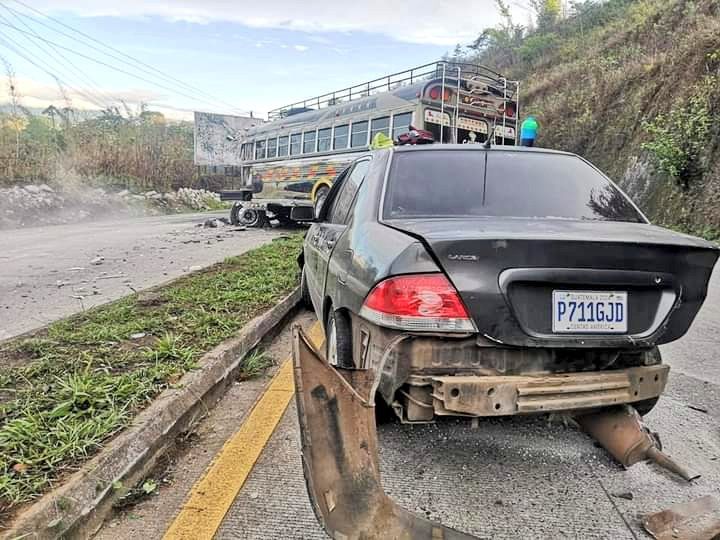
x=390 y=82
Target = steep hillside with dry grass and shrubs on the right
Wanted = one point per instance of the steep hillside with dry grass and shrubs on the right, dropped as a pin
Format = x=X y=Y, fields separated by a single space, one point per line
x=634 y=86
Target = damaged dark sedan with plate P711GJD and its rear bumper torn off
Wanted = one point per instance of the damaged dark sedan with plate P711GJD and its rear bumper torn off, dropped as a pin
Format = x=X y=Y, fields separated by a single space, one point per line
x=498 y=281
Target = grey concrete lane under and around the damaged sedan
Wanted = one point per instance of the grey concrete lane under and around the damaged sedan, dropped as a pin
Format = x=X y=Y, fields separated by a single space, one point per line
x=506 y=479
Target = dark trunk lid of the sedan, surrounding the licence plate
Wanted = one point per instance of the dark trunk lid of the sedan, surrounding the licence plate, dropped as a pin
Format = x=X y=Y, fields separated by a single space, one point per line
x=507 y=269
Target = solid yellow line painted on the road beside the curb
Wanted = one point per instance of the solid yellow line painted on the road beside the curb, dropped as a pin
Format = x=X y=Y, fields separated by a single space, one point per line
x=212 y=496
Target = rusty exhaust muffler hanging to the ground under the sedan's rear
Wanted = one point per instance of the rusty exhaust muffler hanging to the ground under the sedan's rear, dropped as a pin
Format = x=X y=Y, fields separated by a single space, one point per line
x=620 y=431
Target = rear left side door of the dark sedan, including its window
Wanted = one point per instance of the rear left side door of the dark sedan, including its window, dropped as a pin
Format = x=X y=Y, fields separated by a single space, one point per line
x=335 y=225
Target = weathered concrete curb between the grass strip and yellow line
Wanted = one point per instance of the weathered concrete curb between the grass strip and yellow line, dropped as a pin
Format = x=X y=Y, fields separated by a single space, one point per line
x=79 y=506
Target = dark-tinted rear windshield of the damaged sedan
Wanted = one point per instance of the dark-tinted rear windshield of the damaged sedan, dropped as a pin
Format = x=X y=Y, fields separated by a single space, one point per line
x=458 y=183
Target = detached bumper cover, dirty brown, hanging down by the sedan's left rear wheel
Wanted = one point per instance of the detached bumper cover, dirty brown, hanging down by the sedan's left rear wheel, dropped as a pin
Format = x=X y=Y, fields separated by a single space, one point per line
x=336 y=412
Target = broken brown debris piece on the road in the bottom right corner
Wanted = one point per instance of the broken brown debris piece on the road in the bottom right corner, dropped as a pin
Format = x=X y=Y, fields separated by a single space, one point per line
x=694 y=520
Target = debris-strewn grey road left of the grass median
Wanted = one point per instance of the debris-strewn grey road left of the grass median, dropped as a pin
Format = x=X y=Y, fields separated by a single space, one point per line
x=47 y=273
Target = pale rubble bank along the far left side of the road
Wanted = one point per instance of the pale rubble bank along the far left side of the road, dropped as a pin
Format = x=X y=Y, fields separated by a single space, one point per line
x=40 y=204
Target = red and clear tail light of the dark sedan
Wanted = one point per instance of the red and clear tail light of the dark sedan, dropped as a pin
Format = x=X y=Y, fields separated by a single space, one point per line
x=417 y=302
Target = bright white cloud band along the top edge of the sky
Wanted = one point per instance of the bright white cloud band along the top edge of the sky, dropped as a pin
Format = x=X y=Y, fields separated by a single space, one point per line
x=440 y=22
